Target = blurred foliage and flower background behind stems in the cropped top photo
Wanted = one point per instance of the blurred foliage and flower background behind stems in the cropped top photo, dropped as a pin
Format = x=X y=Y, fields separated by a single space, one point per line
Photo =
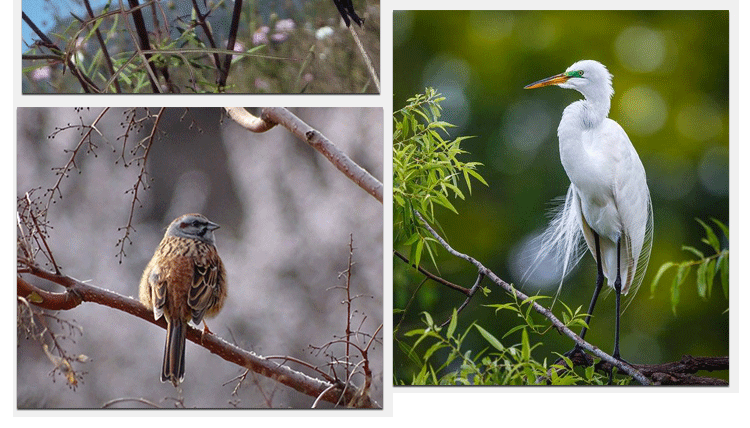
x=297 y=46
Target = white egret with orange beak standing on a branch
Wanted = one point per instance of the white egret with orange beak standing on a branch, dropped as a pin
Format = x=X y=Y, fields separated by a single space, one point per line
x=608 y=202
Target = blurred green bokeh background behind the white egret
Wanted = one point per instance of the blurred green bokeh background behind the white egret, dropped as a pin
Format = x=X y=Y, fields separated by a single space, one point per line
x=671 y=81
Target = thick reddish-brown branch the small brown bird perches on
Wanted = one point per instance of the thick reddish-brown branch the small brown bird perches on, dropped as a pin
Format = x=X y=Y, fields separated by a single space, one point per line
x=77 y=292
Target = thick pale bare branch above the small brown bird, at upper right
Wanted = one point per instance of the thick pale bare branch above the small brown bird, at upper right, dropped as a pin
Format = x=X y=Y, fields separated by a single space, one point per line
x=272 y=116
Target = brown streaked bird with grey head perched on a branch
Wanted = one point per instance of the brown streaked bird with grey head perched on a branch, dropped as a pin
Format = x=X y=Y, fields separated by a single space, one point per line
x=184 y=281
